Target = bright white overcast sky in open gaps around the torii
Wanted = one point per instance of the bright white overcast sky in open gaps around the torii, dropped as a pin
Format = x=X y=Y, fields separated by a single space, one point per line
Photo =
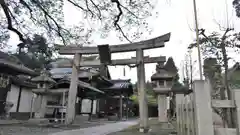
x=175 y=16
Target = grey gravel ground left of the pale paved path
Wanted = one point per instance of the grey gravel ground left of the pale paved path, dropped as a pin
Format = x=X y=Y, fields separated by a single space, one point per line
x=21 y=129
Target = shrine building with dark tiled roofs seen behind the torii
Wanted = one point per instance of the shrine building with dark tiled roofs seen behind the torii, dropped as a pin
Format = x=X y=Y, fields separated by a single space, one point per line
x=94 y=88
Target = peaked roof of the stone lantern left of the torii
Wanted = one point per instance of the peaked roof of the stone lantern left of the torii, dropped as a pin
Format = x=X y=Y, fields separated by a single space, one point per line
x=44 y=78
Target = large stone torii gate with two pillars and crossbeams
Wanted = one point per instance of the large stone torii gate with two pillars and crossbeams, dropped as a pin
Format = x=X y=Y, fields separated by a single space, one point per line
x=140 y=60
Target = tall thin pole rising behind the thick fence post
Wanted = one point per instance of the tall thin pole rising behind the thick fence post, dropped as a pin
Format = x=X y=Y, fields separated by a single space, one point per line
x=197 y=37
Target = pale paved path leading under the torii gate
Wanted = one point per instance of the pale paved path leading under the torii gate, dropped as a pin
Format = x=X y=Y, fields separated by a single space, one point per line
x=100 y=130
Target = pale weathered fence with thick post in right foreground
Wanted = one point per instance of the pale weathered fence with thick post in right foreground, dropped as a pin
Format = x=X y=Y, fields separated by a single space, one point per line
x=195 y=111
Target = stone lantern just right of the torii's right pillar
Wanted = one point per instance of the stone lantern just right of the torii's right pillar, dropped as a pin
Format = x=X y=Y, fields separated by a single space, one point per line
x=163 y=82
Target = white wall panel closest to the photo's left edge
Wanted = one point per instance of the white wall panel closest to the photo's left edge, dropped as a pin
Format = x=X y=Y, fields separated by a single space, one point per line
x=13 y=97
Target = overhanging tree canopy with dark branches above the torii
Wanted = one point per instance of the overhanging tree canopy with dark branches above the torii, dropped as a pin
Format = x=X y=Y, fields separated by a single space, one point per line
x=46 y=17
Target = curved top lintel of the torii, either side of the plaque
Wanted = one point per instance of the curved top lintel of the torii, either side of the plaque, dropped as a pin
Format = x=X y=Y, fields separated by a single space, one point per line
x=146 y=44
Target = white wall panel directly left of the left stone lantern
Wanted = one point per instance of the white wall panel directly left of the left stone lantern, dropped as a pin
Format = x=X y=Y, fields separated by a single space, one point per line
x=25 y=102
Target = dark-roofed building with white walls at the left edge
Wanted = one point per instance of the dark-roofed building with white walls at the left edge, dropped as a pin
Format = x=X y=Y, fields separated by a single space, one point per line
x=15 y=87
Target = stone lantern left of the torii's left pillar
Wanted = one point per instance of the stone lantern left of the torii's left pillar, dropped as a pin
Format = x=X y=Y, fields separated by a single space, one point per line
x=43 y=83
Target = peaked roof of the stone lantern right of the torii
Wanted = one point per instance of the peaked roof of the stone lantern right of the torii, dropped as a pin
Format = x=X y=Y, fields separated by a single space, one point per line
x=162 y=73
